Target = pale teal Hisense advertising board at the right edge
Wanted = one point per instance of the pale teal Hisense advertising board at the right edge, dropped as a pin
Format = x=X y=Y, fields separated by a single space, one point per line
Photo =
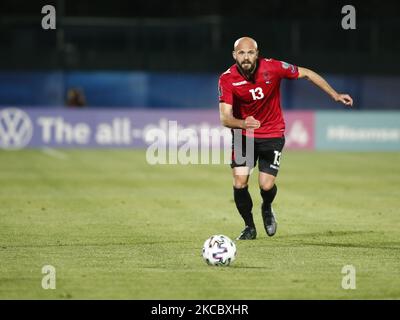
x=357 y=131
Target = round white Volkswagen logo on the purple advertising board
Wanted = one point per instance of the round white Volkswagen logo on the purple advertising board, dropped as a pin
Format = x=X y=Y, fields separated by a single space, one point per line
x=15 y=129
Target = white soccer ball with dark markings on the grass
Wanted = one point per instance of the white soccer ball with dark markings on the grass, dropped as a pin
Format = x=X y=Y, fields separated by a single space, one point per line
x=219 y=250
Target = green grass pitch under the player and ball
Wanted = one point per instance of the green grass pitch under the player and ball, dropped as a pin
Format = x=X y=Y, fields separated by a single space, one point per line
x=115 y=227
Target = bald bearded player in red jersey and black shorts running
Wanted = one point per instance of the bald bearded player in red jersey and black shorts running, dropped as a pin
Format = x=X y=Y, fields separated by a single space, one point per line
x=249 y=99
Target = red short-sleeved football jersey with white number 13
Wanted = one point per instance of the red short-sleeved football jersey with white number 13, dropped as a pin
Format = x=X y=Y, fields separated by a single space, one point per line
x=259 y=97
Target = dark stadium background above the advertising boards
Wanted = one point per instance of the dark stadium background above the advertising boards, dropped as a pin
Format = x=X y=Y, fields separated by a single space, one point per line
x=192 y=40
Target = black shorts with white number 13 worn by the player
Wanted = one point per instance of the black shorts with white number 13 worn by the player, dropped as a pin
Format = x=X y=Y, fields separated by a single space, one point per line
x=267 y=151
